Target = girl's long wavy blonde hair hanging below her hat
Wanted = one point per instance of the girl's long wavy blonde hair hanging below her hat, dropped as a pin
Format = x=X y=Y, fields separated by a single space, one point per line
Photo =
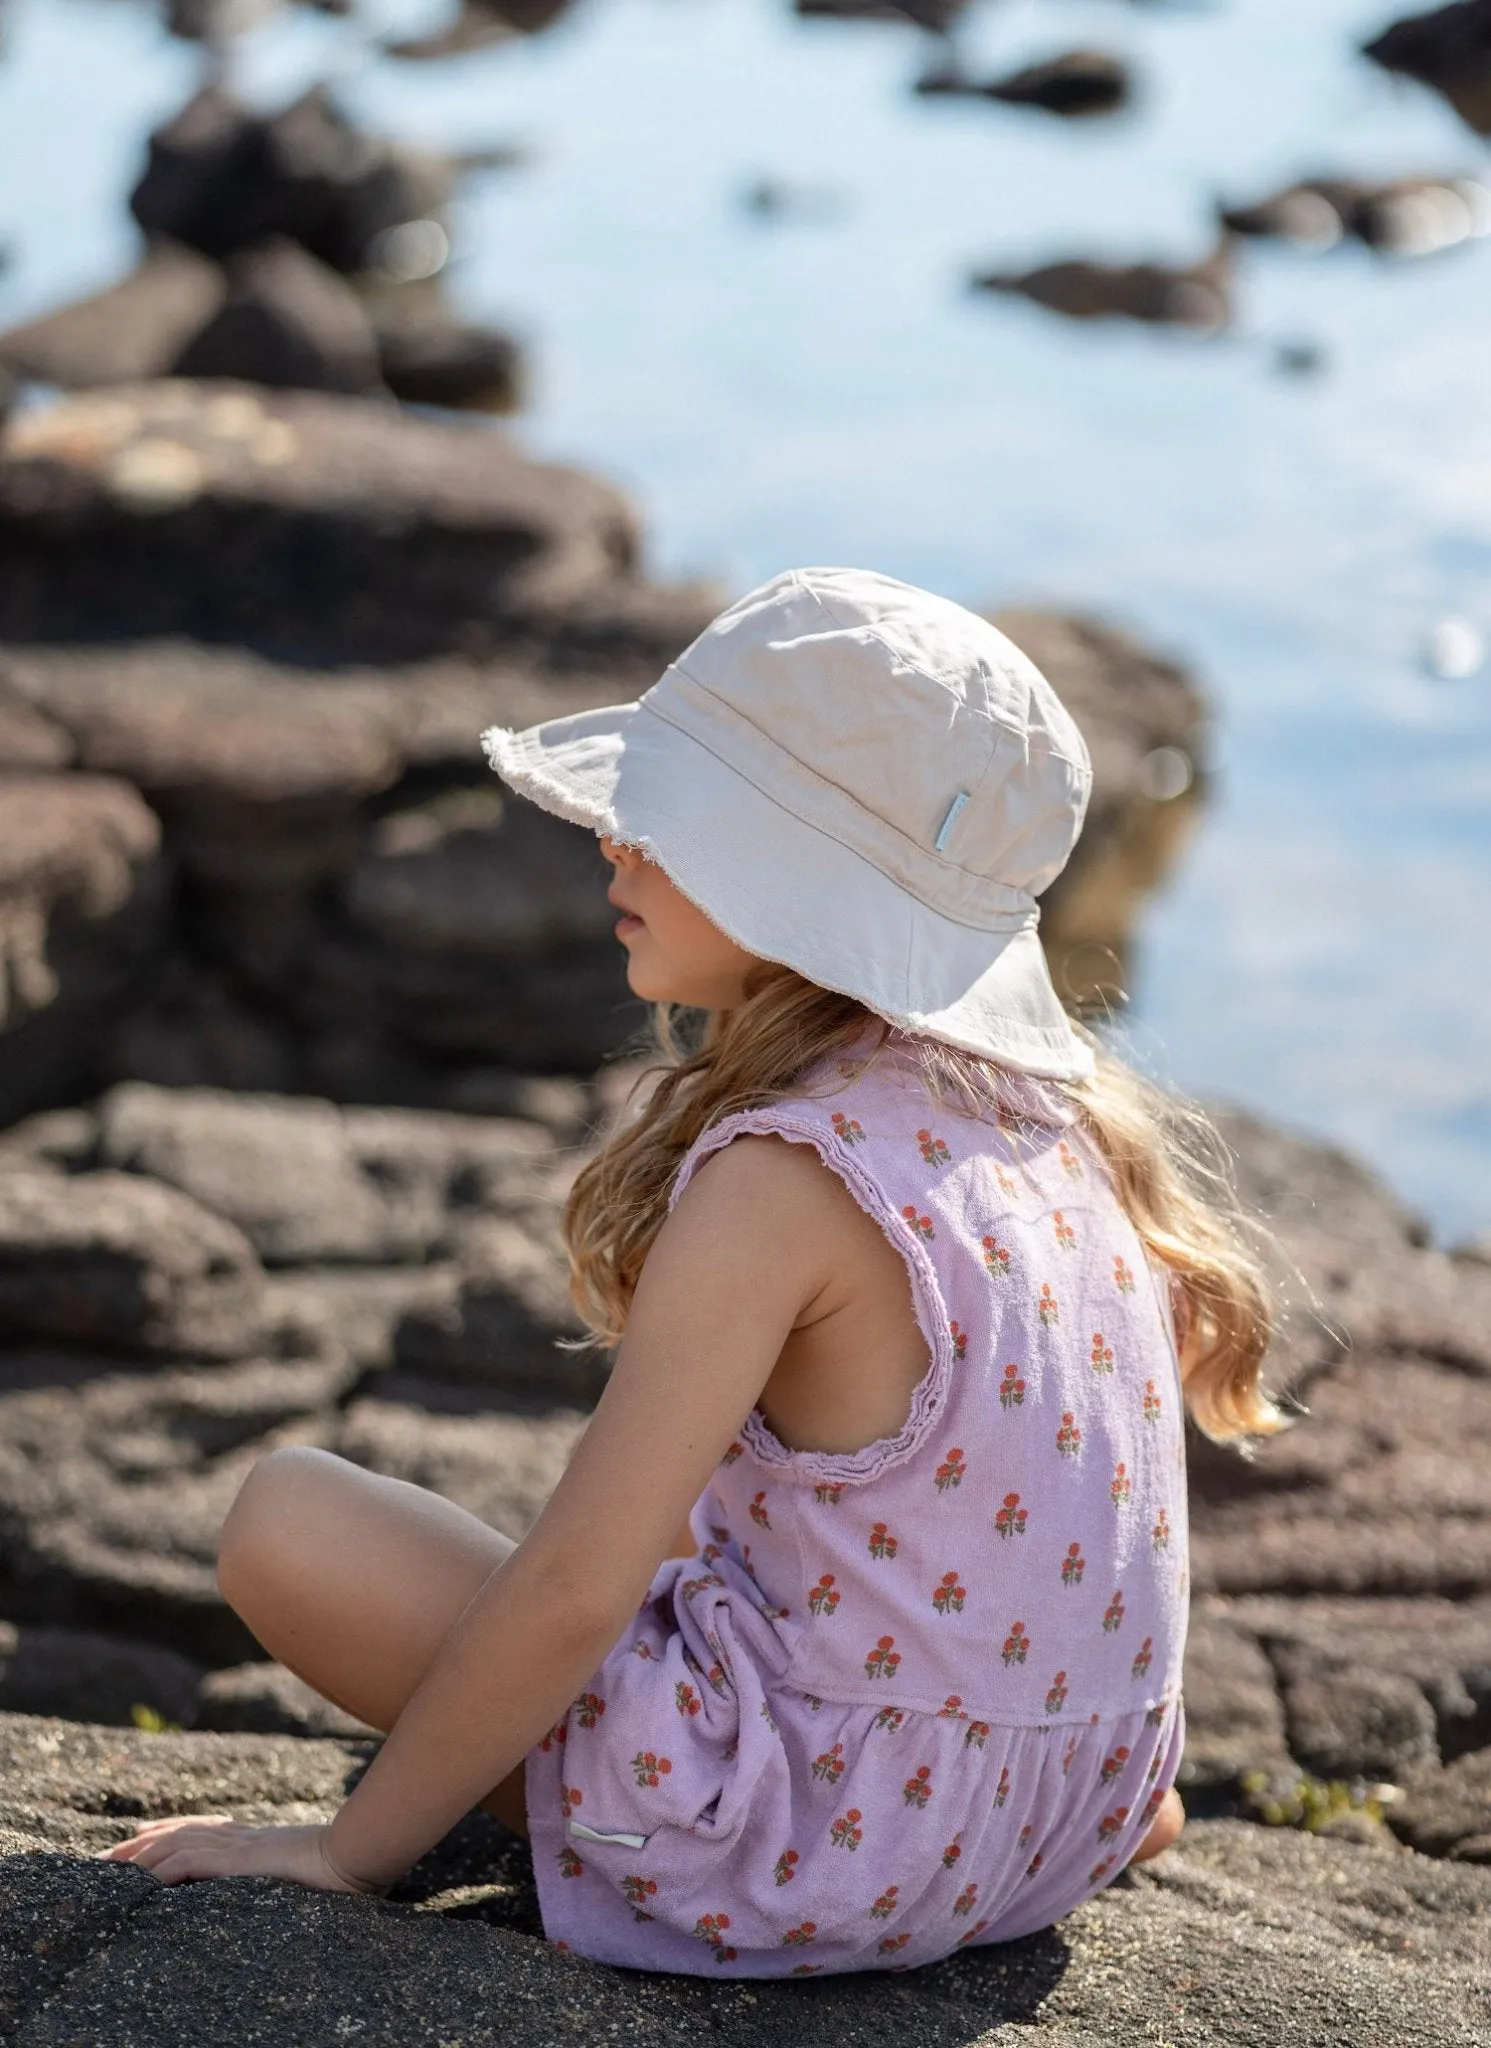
x=1166 y=1162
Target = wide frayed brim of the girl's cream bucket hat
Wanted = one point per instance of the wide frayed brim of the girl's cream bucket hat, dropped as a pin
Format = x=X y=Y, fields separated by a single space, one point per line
x=794 y=894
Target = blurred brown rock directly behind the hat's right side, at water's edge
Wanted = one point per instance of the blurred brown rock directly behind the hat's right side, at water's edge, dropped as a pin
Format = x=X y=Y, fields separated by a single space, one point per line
x=1146 y=726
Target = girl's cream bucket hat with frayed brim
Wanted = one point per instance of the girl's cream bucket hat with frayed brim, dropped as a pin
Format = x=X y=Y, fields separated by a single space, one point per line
x=861 y=781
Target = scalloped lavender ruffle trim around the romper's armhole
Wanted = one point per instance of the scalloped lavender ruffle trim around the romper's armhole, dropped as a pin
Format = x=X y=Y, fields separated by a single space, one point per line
x=929 y=1396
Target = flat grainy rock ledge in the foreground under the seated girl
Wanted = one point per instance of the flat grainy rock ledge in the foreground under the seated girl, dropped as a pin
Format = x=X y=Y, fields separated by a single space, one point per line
x=1242 y=1936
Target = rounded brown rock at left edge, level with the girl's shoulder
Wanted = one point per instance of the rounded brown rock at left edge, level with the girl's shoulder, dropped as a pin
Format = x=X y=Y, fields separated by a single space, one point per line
x=108 y=1258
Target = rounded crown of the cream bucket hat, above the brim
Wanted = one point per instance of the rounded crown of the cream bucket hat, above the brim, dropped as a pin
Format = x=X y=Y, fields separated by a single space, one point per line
x=865 y=701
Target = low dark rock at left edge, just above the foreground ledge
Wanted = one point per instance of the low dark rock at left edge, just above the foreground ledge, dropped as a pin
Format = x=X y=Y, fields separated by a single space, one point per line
x=95 y=1678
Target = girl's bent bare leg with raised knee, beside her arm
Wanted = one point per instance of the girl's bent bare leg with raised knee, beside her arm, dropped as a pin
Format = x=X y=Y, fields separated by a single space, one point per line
x=353 y=1582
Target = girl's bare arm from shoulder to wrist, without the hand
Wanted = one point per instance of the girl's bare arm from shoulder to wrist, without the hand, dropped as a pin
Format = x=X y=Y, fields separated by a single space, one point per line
x=726 y=1281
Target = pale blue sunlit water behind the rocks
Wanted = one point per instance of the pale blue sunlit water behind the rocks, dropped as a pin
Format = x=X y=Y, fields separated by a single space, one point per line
x=826 y=390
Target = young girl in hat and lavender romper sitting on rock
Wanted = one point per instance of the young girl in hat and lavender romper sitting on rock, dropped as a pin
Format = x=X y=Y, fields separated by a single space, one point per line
x=894 y=1263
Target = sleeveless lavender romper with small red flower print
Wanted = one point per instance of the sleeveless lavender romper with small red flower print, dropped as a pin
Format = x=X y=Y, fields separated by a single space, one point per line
x=923 y=1695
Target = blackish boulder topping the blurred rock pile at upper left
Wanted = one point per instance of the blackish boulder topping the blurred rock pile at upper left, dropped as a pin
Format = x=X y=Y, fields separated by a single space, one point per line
x=224 y=179
